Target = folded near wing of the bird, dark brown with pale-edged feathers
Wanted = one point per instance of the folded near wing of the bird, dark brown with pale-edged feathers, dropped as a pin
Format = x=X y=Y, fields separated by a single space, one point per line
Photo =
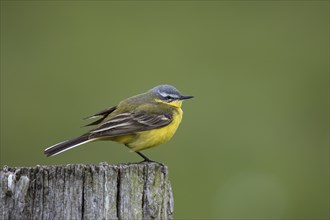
x=130 y=123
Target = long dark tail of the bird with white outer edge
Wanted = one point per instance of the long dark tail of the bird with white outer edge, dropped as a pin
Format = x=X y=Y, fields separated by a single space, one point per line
x=66 y=145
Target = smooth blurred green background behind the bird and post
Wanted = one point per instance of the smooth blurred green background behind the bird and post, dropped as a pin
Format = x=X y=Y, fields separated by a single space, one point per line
x=254 y=142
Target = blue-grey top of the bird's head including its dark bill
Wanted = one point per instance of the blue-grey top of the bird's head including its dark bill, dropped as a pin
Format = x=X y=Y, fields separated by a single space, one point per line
x=168 y=93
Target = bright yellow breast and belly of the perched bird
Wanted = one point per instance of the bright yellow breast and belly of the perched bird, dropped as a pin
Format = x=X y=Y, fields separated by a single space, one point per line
x=147 y=139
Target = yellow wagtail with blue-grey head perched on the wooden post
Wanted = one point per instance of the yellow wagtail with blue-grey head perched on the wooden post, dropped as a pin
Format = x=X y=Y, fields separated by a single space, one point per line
x=140 y=122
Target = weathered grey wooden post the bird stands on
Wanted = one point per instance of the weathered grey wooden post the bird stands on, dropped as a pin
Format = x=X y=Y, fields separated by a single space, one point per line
x=124 y=191
